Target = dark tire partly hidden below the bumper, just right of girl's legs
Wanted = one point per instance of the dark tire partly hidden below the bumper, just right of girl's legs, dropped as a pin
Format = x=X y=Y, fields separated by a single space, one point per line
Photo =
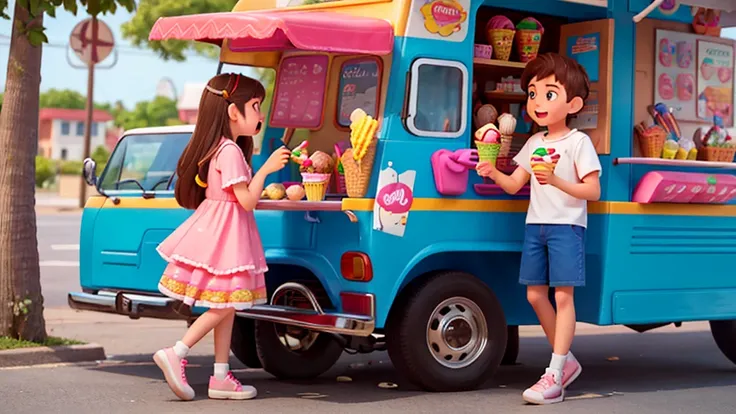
x=289 y=352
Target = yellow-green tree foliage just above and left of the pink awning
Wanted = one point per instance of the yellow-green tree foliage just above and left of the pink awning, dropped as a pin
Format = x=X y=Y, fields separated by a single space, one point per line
x=137 y=29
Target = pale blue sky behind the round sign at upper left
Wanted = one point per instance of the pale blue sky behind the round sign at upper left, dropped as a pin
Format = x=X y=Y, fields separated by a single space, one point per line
x=133 y=78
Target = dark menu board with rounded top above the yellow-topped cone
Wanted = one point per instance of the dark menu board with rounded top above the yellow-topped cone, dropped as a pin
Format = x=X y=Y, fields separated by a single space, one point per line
x=359 y=83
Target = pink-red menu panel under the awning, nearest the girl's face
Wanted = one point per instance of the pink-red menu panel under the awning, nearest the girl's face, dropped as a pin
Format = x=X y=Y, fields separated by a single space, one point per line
x=300 y=91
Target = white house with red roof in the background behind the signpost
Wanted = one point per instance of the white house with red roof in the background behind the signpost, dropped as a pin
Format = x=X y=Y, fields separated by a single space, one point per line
x=61 y=132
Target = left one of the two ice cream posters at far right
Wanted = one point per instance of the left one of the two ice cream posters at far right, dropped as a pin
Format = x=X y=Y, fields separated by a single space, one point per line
x=674 y=73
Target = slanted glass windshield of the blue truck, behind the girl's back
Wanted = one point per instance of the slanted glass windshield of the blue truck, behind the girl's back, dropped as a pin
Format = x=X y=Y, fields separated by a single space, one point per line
x=145 y=162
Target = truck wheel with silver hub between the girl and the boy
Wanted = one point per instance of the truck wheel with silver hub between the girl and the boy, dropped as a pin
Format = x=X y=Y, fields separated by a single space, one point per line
x=449 y=333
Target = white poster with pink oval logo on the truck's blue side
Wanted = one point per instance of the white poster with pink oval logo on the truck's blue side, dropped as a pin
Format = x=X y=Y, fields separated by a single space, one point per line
x=393 y=200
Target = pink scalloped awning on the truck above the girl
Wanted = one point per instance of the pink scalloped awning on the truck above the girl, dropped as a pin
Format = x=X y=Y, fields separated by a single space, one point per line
x=259 y=31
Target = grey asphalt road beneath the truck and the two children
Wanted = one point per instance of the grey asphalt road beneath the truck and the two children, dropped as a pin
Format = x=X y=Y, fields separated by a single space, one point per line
x=665 y=371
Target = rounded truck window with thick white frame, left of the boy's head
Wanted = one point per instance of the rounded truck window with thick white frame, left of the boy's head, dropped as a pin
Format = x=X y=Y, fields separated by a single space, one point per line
x=437 y=99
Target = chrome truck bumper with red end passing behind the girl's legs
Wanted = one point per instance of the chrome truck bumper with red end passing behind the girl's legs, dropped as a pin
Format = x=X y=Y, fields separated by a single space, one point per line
x=149 y=306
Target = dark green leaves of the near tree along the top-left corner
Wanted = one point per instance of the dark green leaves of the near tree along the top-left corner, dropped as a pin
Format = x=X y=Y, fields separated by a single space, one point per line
x=35 y=32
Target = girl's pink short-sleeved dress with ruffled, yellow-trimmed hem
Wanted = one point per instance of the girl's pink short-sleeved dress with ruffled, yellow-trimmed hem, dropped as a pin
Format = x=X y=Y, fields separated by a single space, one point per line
x=215 y=257
